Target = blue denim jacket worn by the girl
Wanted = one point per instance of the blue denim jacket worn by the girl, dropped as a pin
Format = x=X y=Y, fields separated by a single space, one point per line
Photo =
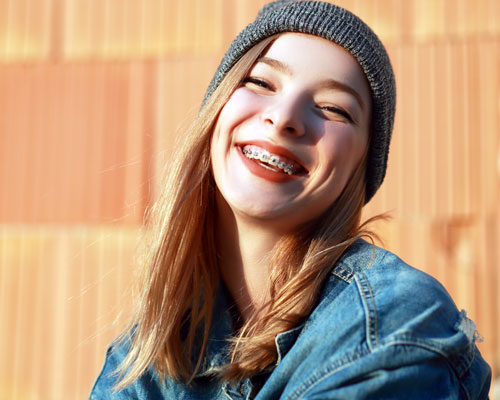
x=381 y=330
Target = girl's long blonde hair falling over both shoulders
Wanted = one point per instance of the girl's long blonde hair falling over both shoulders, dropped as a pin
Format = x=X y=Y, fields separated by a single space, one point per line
x=180 y=273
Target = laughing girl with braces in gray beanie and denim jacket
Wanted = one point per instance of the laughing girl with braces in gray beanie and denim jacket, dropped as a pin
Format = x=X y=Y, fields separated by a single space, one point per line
x=257 y=283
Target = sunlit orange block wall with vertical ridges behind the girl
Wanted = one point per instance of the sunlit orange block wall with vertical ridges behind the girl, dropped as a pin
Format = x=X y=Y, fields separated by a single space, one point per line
x=94 y=93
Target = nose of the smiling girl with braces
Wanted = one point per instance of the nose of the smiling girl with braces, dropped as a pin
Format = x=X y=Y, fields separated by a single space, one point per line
x=286 y=115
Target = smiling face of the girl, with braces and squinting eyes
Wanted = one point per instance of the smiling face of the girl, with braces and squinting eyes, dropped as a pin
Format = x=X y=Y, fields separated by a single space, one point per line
x=290 y=136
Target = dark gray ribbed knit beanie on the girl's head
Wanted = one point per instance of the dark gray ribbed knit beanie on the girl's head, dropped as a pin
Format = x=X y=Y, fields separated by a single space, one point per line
x=346 y=30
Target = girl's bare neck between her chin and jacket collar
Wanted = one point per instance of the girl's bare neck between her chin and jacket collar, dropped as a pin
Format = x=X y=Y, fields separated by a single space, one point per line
x=244 y=253
